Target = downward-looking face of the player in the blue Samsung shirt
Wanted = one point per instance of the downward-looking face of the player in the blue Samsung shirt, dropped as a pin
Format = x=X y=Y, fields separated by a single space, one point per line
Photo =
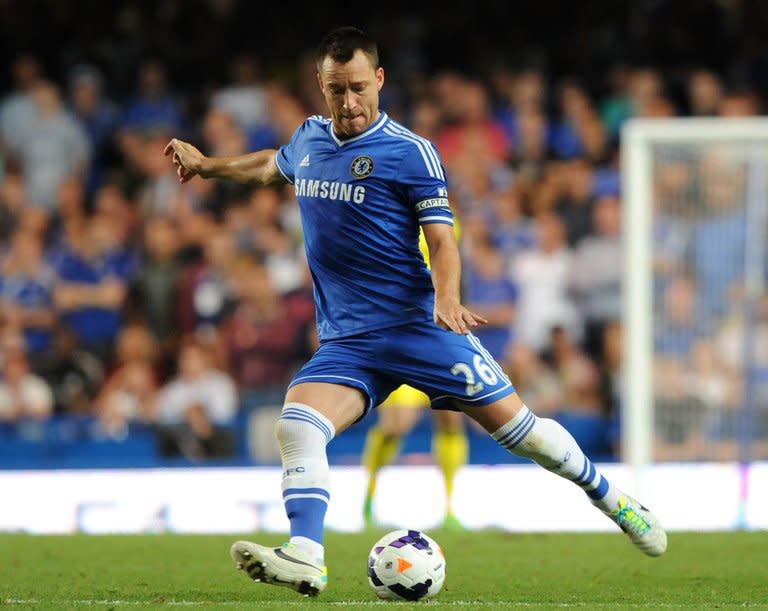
x=351 y=91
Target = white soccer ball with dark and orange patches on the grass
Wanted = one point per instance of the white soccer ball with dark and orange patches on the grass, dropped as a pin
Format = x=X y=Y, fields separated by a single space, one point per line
x=406 y=565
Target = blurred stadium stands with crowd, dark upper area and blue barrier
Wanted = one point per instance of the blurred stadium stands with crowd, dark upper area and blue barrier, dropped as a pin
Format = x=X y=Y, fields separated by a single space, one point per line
x=201 y=290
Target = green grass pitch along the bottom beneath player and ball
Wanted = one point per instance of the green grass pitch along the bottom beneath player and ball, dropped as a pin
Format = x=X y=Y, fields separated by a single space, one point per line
x=486 y=570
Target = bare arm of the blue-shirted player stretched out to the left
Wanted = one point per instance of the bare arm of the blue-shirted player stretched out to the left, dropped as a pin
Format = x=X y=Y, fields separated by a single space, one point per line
x=258 y=168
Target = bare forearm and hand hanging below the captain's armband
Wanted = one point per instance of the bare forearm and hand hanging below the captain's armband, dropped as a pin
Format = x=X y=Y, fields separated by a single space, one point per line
x=446 y=278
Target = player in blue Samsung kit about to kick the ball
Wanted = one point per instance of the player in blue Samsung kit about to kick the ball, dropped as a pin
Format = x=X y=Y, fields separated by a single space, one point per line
x=365 y=185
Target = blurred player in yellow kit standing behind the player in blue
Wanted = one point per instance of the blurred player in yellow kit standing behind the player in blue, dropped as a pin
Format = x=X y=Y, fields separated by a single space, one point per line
x=398 y=415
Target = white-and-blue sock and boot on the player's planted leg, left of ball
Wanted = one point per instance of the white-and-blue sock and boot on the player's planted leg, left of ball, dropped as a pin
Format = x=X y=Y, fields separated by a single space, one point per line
x=302 y=433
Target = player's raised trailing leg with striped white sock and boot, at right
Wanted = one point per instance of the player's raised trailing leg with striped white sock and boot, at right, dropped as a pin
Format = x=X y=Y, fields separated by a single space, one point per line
x=546 y=442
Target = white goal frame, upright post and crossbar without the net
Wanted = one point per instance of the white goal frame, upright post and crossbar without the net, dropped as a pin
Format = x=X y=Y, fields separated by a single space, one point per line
x=639 y=139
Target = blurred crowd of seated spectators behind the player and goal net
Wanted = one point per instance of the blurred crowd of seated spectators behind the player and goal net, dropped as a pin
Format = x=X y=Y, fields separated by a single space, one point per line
x=131 y=298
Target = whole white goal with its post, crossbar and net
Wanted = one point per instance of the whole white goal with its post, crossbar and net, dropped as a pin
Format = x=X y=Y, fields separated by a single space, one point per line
x=696 y=313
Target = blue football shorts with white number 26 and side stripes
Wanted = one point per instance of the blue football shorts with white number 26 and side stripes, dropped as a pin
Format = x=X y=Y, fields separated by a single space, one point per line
x=451 y=369
